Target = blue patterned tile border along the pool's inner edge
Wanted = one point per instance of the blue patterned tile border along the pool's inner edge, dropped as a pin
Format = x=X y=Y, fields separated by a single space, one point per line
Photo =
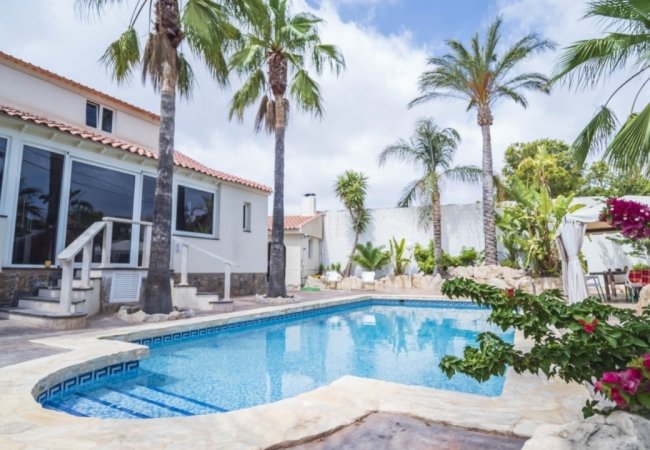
x=130 y=367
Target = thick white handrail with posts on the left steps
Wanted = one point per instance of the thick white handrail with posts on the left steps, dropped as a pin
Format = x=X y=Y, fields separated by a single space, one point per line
x=84 y=243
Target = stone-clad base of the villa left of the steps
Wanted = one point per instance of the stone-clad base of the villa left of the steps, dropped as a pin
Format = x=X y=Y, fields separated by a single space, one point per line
x=17 y=282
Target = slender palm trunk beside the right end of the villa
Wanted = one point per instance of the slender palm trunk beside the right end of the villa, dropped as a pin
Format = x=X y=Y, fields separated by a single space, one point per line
x=277 y=285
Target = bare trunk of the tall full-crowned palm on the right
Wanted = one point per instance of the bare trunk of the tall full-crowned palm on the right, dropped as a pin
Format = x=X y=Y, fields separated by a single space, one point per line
x=489 y=217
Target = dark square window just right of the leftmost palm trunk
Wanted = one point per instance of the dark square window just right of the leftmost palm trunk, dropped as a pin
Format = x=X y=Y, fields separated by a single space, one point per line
x=194 y=210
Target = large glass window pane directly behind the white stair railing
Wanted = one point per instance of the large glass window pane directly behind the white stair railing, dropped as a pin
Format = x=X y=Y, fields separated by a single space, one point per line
x=97 y=192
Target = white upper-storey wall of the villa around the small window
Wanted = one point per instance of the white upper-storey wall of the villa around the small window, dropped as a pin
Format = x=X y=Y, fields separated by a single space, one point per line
x=33 y=94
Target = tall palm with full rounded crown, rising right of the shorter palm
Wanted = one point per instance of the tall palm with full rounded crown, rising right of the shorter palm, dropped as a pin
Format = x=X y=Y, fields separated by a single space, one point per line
x=481 y=77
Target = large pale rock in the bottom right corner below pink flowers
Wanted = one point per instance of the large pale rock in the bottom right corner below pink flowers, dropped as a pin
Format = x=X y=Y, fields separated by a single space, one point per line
x=619 y=430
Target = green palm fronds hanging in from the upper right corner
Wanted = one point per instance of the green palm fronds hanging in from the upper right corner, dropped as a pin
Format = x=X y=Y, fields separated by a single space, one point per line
x=586 y=63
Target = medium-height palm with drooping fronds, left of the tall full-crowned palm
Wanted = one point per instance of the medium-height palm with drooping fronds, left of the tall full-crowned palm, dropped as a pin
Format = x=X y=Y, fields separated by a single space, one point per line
x=431 y=150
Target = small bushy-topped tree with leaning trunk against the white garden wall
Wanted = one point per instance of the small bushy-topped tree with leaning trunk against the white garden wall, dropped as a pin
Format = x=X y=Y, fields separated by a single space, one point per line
x=350 y=188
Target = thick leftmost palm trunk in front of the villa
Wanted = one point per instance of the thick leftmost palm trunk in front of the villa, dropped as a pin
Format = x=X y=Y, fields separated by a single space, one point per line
x=157 y=290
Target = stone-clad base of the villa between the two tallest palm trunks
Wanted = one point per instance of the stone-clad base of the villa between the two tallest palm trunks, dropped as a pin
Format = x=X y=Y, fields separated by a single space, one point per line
x=240 y=283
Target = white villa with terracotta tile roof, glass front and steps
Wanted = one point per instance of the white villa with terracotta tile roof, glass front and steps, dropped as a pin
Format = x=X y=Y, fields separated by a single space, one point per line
x=72 y=157
